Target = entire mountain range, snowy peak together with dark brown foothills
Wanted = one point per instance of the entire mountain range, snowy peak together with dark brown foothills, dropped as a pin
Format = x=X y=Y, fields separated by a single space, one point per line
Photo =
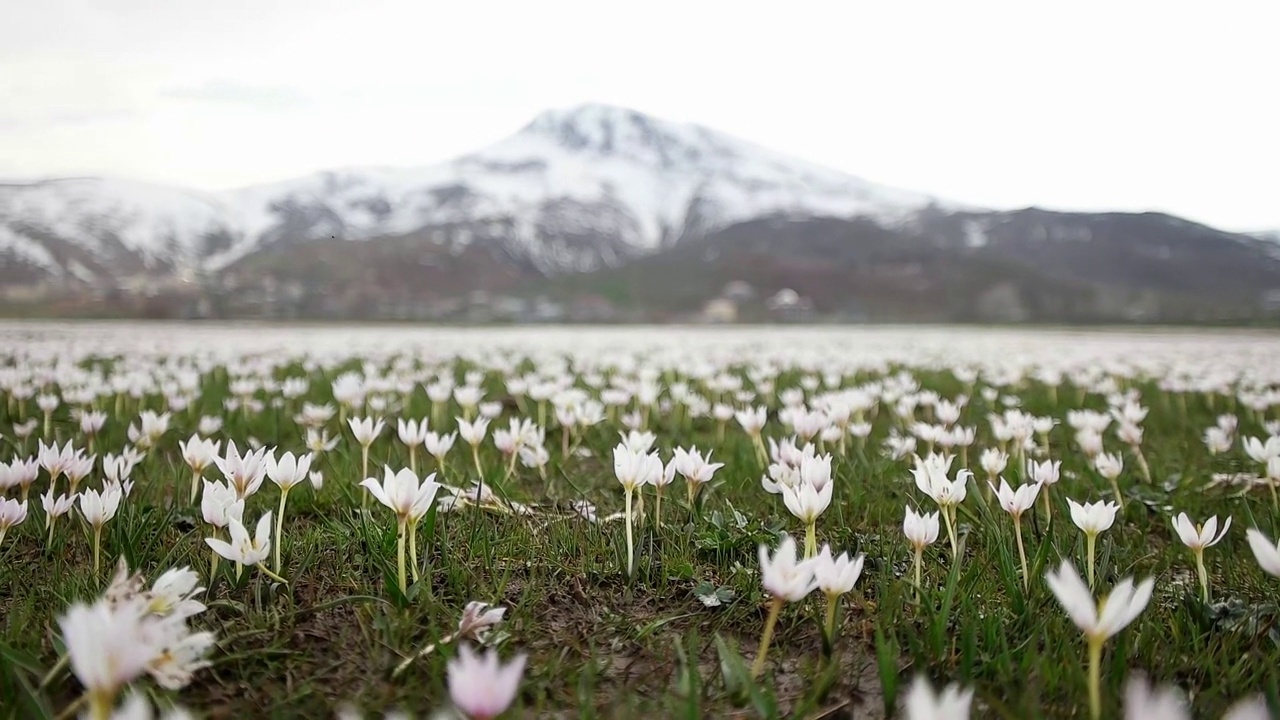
x=611 y=204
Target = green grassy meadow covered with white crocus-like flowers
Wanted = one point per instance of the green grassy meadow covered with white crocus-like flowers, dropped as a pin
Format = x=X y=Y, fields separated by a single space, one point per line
x=220 y=521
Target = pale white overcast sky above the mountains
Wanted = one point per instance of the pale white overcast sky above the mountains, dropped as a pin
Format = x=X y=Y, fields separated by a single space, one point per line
x=1072 y=106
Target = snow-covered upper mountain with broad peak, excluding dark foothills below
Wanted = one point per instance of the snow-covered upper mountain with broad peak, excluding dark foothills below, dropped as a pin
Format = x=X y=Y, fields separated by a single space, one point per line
x=574 y=190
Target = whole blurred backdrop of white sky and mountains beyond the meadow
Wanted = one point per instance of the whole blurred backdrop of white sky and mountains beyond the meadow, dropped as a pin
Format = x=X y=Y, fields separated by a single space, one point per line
x=566 y=162
